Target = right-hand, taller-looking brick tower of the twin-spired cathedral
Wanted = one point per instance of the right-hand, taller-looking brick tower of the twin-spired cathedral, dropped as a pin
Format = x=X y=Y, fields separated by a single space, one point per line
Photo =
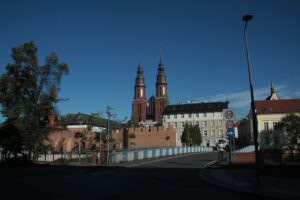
x=161 y=97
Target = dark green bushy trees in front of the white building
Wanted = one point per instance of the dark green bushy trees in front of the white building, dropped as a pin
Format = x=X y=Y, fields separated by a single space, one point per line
x=191 y=135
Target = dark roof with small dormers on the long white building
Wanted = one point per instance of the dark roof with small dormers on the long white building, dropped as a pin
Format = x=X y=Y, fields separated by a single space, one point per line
x=195 y=107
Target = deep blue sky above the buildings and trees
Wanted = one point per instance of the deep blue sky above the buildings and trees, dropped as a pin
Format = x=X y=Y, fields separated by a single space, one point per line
x=202 y=42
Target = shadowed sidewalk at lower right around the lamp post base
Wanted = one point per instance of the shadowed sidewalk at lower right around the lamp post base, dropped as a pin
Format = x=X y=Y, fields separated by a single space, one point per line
x=244 y=180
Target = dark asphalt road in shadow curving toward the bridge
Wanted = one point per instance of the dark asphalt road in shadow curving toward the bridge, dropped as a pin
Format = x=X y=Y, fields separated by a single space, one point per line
x=172 y=178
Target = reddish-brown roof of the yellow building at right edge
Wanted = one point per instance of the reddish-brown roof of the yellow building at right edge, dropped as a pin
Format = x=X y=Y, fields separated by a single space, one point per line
x=277 y=106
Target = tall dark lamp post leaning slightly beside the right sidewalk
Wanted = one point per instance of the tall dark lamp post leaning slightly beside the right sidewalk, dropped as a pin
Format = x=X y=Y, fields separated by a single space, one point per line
x=247 y=18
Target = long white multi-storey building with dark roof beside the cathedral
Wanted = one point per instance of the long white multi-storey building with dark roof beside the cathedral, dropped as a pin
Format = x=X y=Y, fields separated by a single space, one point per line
x=208 y=116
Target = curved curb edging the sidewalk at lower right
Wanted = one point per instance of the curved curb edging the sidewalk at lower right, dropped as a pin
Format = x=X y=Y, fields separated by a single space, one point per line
x=253 y=191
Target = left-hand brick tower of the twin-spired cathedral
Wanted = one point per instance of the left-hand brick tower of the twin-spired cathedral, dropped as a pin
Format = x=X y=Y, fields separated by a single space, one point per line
x=139 y=105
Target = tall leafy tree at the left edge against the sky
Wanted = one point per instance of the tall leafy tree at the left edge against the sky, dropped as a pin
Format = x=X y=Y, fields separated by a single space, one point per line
x=28 y=92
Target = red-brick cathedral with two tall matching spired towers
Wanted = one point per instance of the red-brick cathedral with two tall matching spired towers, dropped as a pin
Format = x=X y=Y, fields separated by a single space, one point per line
x=151 y=109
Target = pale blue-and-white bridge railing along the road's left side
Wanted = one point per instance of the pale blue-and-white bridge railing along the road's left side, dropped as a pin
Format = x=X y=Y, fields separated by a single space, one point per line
x=141 y=154
